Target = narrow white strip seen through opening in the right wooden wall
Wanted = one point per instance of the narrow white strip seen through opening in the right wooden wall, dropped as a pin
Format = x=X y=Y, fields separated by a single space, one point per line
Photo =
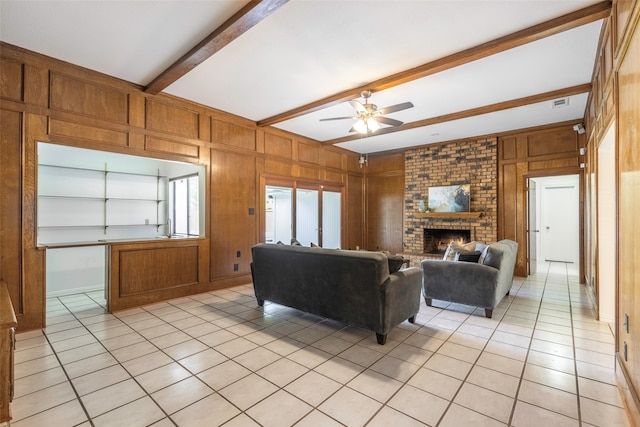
x=606 y=199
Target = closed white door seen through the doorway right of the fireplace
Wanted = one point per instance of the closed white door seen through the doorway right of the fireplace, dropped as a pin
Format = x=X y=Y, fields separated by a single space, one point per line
x=560 y=222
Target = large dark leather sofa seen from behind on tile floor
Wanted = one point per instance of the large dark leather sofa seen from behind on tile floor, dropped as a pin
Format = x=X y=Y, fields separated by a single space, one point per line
x=352 y=287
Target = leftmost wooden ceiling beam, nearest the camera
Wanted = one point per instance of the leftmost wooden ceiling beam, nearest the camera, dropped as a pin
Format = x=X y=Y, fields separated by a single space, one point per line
x=243 y=20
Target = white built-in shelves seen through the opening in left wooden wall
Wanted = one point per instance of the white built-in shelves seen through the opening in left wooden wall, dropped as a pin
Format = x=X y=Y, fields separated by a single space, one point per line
x=75 y=203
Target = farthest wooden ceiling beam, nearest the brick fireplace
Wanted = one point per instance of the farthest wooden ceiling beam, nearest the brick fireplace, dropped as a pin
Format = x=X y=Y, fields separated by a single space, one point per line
x=505 y=105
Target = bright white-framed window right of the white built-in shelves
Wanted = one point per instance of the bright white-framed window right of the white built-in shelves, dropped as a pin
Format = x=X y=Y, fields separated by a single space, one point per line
x=184 y=206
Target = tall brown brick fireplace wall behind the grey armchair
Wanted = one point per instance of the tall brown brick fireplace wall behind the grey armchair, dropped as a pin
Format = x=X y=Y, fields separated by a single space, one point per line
x=473 y=162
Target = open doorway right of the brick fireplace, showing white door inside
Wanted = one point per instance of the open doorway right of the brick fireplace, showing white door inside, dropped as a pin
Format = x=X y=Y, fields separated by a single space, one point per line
x=554 y=221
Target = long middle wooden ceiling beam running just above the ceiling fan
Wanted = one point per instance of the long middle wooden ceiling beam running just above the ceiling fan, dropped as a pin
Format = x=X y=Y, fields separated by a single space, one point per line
x=554 y=26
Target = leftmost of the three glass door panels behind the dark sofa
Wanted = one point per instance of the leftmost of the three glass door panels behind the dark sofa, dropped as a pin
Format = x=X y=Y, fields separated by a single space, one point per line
x=278 y=214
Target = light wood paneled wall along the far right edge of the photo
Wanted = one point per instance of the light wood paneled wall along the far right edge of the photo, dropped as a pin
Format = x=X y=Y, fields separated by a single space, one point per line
x=624 y=47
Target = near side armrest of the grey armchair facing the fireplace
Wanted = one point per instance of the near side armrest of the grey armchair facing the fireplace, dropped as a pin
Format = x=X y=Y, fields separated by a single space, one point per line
x=461 y=282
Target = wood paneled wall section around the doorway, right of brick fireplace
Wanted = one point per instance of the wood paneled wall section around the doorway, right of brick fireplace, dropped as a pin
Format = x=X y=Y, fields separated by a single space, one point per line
x=544 y=152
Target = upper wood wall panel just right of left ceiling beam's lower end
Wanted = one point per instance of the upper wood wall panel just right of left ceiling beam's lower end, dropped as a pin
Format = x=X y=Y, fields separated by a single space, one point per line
x=172 y=119
